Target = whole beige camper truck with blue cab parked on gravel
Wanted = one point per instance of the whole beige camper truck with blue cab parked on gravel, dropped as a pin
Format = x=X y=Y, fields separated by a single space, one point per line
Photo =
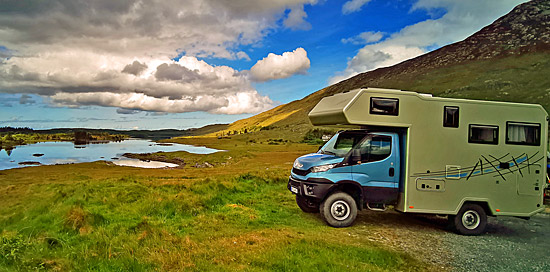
x=467 y=159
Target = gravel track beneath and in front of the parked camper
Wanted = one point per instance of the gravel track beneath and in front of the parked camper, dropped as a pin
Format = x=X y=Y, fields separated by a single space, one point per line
x=509 y=244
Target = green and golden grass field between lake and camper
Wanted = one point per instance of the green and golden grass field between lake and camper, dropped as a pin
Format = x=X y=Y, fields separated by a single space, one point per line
x=235 y=216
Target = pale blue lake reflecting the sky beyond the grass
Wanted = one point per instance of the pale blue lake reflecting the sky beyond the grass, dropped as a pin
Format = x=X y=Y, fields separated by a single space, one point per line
x=67 y=152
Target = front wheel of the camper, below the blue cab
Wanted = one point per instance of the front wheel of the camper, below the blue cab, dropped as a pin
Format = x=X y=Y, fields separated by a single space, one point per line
x=339 y=210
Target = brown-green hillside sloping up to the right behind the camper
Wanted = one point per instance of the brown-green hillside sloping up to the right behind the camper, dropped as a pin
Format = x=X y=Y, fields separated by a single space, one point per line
x=507 y=60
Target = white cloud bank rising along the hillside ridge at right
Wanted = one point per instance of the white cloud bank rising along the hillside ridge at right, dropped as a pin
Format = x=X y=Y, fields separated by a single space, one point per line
x=462 y=19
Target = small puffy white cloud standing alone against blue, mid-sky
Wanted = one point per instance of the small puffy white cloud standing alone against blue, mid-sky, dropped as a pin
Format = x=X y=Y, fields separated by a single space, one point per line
x=281 y=66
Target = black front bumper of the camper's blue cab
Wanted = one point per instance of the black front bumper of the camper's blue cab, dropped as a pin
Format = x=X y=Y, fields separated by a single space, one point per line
x=317 y=188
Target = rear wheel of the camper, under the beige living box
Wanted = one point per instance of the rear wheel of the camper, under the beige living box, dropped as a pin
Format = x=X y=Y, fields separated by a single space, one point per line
x=470 y=220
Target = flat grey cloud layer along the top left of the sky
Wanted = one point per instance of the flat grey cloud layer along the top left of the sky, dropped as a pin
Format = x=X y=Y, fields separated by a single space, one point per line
x=196 y=27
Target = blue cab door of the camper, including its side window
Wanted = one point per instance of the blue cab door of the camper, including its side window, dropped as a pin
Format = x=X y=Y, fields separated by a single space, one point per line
x=375 y=161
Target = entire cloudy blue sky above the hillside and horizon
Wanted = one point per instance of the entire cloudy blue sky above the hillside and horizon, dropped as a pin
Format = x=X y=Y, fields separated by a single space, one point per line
x=137 y=64
